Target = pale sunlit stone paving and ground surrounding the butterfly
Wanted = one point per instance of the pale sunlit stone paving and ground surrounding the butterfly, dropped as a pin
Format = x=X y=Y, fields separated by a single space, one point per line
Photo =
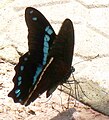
x=91 y=25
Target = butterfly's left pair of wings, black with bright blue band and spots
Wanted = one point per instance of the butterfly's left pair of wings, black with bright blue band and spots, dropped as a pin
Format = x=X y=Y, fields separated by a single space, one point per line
x=31 y=64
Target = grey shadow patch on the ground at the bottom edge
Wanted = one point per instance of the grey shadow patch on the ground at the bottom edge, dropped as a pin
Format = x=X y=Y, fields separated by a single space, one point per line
x=65 y=115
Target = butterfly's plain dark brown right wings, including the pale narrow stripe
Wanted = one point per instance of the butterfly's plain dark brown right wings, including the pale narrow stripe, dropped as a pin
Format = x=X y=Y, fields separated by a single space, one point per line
x=58 y=68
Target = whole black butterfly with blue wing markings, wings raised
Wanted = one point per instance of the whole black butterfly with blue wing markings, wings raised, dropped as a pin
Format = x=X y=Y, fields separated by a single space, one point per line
x=48 y=61
